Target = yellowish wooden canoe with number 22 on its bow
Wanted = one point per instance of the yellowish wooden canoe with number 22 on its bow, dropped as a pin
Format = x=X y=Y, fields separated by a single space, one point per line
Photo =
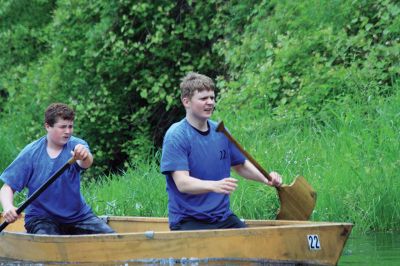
x=149 y=241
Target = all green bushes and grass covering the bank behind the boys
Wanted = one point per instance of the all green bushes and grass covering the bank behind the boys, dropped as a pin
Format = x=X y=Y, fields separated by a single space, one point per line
x=309 y=87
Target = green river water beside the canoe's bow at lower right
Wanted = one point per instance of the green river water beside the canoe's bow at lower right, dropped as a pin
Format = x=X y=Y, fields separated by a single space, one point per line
x=372 y=249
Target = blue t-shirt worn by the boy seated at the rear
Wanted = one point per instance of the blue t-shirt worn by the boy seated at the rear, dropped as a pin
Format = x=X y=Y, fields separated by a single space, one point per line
x=62 y=200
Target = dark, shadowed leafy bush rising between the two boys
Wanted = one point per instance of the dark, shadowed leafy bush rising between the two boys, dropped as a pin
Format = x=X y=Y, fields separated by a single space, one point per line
x=132 y=60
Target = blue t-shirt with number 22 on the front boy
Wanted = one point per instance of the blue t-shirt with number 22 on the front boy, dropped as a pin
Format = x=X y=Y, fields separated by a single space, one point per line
x=206 y=157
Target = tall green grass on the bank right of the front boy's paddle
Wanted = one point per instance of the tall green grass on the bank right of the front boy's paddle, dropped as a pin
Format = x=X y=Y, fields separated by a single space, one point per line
x=350 y=155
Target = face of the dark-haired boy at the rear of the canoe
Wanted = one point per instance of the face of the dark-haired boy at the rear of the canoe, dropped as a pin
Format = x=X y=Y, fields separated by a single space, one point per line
x=60 y=132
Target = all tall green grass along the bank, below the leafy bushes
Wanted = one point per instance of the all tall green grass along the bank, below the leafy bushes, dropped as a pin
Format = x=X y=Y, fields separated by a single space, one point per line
x=350 y=157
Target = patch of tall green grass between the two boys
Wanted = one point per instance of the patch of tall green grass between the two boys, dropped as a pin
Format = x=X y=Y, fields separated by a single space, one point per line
x=140 y=191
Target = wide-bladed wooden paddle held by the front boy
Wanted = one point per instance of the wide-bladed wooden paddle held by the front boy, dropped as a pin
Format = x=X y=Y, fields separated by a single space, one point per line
x=297 y=200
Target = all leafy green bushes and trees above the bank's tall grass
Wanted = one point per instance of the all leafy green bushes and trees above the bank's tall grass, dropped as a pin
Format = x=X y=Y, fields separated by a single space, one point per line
x=119 y=64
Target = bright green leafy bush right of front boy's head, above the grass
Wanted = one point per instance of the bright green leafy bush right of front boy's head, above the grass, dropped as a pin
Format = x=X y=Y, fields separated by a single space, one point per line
x=296 y=57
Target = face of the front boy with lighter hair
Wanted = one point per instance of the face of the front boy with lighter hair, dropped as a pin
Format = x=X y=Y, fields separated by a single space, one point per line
x=201 y=105
